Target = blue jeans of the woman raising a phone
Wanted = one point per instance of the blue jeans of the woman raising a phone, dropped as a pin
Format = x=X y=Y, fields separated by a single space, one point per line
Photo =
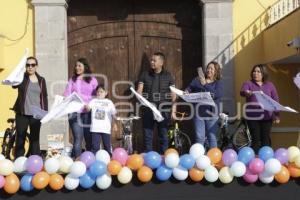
x=206 y=129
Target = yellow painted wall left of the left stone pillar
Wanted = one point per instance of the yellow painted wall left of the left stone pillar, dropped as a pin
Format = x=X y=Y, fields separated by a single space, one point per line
x=16 y=34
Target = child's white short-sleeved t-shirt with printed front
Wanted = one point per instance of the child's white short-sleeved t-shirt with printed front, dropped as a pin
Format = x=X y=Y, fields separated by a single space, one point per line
x=102 y=112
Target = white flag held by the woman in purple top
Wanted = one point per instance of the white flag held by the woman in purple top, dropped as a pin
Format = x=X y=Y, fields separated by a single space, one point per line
x=269 y=104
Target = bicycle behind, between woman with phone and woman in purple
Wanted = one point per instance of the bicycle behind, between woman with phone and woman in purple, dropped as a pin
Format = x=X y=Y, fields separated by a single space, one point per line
x=233 y=134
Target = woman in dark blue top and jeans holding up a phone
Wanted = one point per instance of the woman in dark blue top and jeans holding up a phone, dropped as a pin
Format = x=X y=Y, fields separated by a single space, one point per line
x=206 y=116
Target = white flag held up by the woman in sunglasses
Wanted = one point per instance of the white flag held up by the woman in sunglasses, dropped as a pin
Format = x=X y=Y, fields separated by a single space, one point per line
x=17 y=75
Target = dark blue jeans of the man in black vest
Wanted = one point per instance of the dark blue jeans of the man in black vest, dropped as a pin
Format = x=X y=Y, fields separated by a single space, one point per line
x=148 y=125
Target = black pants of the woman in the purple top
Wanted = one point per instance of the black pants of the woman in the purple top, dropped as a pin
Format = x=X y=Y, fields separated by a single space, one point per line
x=260 y=133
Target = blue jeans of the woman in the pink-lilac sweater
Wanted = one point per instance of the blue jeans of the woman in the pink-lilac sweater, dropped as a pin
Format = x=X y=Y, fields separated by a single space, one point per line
x=80 y=126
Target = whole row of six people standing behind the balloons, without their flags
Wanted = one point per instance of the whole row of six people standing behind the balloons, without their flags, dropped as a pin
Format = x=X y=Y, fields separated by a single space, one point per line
x=96 y=120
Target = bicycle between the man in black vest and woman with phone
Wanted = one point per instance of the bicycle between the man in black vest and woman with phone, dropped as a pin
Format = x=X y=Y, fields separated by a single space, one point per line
x=178 y=139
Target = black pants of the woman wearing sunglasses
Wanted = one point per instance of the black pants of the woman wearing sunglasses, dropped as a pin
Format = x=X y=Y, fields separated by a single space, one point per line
x=22 y=123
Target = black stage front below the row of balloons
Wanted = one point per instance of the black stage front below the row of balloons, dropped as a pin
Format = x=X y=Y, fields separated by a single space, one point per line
x=173 y=190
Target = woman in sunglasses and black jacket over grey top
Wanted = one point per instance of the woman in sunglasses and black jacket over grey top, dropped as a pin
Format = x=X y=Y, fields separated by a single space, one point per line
x=31 y=92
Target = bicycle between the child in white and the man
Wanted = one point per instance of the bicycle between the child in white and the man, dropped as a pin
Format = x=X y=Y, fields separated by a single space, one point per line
x=126 y=133
